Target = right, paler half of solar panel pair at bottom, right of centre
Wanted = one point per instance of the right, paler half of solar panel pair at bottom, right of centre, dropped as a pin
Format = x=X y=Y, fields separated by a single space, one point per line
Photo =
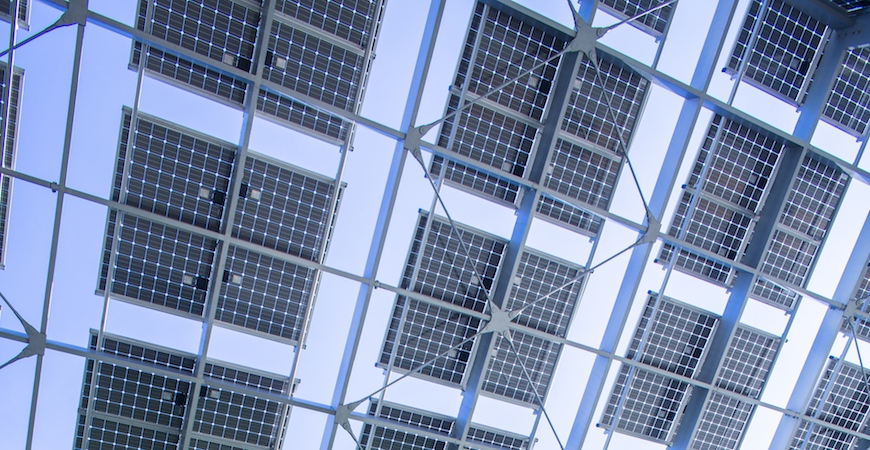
x=744 y=371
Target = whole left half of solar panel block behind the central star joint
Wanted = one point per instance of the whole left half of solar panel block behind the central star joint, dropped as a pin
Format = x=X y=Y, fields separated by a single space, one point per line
x=437 y=267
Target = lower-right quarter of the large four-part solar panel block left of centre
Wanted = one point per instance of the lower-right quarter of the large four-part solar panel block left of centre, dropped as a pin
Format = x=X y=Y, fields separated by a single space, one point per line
x=264 y=294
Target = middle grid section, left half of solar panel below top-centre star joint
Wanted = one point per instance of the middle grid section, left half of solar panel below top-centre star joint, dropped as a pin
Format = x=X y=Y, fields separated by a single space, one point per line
x=488 y=136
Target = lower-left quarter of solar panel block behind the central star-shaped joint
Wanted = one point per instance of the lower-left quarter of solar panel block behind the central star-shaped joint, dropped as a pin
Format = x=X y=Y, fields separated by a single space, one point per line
x=430 y=331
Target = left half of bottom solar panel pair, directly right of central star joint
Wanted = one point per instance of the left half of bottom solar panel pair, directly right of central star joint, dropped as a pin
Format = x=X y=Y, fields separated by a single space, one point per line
x=669 y=336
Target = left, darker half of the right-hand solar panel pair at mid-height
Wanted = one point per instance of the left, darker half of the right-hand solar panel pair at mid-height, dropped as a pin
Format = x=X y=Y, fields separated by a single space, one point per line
x=727 y=184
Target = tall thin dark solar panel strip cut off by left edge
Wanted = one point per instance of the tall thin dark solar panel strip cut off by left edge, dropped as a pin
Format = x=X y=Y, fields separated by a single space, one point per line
x=8 y=151
